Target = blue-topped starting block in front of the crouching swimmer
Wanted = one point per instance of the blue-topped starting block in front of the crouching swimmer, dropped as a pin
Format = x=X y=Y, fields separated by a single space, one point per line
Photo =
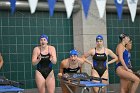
x=82 y=81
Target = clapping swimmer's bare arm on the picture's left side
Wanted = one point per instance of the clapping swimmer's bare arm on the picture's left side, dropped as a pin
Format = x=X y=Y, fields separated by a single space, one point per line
x=35 y=56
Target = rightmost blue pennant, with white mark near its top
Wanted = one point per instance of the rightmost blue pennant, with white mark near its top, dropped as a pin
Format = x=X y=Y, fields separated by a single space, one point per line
x=119 y=6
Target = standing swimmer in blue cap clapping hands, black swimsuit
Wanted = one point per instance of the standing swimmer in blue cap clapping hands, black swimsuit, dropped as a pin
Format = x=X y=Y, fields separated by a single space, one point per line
x=44 y=56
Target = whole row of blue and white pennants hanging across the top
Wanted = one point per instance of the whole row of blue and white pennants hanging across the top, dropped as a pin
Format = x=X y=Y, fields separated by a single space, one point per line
x=69 y=5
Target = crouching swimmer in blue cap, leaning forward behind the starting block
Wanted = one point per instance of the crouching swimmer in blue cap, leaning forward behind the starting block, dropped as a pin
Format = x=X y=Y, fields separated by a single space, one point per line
x=73 y=64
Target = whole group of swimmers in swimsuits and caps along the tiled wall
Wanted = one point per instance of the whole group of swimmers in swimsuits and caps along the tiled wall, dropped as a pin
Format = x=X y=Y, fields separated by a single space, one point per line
x=44 y=56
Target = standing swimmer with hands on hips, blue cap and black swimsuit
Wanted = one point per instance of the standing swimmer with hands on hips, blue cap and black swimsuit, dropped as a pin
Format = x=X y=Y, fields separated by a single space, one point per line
x=99 y=56
